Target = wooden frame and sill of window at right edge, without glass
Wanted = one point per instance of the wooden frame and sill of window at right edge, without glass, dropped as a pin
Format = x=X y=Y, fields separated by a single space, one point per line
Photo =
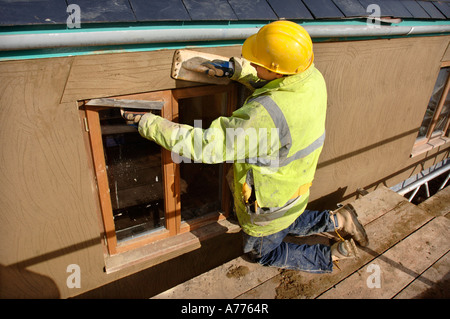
x=434 y=139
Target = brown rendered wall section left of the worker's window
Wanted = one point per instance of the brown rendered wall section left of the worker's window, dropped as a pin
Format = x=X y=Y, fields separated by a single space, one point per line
x=46 y=200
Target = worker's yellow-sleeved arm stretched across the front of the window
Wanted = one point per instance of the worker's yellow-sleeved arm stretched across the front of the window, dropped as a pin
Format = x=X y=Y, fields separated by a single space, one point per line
x=227 y=139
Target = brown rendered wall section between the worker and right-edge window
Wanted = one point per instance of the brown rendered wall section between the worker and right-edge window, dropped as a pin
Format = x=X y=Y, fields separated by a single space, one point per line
x=378 y=92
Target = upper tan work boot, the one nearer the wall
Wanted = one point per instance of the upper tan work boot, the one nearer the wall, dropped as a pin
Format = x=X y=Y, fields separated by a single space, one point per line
x=348 y=222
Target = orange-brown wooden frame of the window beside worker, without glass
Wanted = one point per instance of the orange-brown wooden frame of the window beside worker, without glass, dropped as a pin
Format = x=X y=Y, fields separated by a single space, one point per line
x=171 y=171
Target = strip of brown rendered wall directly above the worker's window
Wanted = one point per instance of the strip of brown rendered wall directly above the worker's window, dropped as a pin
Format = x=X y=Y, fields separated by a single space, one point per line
x=127 y=73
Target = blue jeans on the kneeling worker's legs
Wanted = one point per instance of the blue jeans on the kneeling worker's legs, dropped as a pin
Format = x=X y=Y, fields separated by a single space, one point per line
x=273 y=251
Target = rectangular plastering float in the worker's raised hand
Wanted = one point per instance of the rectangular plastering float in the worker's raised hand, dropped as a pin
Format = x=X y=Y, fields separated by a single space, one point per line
x=187 y=65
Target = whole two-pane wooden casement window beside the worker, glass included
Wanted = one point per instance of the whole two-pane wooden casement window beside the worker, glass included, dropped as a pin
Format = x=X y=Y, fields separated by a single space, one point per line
x=143 y=195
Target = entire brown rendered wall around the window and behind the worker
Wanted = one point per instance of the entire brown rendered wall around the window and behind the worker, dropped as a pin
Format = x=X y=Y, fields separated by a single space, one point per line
x=377 y=90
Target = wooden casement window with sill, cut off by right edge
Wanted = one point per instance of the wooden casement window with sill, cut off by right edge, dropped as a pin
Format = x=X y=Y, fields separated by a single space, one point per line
x=433 y=131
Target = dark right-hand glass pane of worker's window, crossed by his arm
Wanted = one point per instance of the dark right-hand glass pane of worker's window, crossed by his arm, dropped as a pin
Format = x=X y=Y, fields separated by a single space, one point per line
x=200 y=184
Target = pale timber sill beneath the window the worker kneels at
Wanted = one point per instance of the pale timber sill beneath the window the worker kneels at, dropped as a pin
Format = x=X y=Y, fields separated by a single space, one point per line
x=165 y=249
